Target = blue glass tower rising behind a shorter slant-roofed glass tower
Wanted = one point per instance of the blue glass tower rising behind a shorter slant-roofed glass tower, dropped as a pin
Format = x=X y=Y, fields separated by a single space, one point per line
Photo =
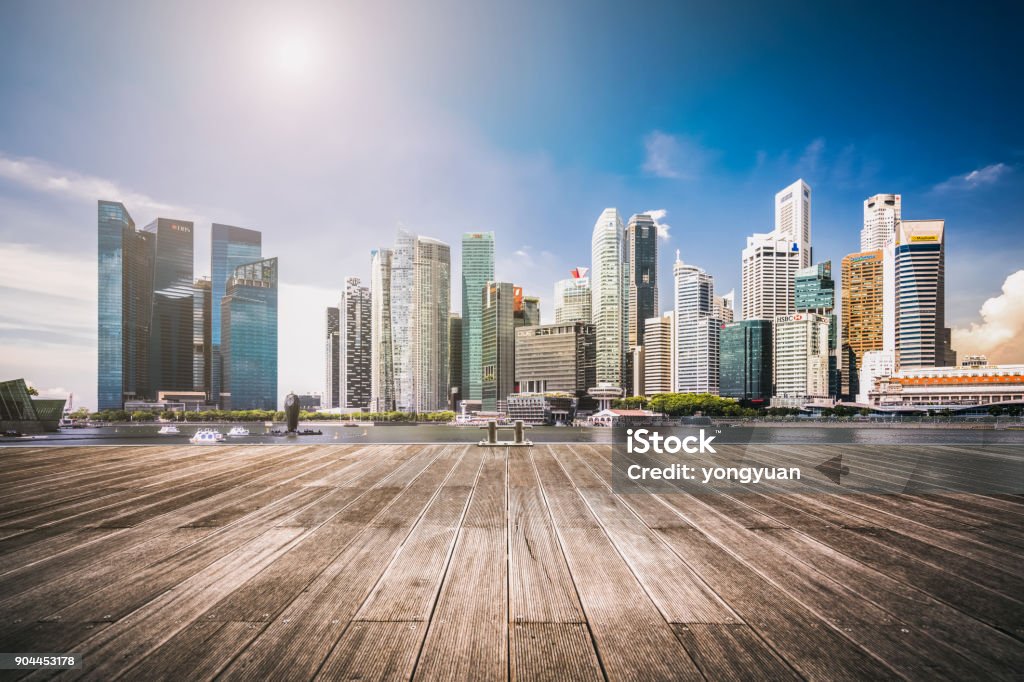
x=230 y=247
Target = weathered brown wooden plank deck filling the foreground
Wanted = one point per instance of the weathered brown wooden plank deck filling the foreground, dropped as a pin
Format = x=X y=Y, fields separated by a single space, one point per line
x=458 y=563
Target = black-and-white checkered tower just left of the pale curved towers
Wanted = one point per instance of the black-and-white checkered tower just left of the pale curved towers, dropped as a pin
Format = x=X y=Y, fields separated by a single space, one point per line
x=356 y=346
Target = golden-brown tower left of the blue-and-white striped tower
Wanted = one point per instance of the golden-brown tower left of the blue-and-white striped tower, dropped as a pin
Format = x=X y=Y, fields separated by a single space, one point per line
x=863 y=313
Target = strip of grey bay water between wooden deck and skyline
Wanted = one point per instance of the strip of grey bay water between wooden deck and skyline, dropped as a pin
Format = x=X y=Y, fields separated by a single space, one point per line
x=336 y=434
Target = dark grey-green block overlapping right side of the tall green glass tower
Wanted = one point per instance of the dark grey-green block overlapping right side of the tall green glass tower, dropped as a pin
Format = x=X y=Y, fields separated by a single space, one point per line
x=500 y=303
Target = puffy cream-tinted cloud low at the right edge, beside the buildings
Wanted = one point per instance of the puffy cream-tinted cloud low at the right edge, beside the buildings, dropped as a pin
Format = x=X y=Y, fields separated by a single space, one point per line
x=1001 y=334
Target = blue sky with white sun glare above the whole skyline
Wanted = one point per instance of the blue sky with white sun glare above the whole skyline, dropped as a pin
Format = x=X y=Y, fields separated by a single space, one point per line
x=328 y=125
